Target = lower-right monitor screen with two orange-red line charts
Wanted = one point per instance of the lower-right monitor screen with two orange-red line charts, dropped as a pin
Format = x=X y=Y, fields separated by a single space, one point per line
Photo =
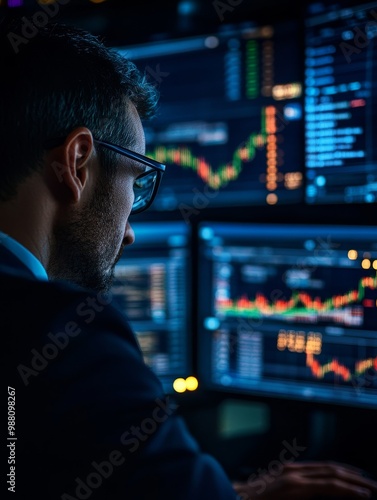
x=289 y=311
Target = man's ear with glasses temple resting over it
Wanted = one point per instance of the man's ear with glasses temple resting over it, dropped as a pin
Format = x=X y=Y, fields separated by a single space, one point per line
x=70 y=163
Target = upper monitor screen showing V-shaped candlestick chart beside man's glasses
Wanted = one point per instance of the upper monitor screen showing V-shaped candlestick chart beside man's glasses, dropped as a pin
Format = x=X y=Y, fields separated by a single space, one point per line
x=230 y=116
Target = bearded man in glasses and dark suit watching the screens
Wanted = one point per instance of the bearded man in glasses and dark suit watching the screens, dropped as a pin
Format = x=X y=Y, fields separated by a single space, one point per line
x=86 y=417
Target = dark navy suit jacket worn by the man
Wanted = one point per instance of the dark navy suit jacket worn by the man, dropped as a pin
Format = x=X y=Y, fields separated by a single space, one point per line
x=91 y=419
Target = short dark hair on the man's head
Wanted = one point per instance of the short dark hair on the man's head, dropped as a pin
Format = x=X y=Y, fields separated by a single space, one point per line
x=62 y=78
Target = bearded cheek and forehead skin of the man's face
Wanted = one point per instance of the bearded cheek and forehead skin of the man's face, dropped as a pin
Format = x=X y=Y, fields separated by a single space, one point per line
x=87 y=247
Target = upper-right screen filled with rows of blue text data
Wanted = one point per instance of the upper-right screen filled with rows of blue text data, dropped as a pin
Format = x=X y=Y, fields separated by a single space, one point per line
x=340 y=102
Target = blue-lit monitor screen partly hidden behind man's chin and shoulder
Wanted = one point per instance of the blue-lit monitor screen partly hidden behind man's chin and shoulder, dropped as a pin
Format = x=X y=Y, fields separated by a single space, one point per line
x=152 y=288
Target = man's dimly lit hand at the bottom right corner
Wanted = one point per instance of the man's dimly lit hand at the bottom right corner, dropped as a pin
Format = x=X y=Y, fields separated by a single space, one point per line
x=308 y=480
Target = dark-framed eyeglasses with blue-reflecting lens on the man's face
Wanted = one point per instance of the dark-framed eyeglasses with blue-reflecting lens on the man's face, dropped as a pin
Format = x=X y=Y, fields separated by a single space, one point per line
x=145 y=186
